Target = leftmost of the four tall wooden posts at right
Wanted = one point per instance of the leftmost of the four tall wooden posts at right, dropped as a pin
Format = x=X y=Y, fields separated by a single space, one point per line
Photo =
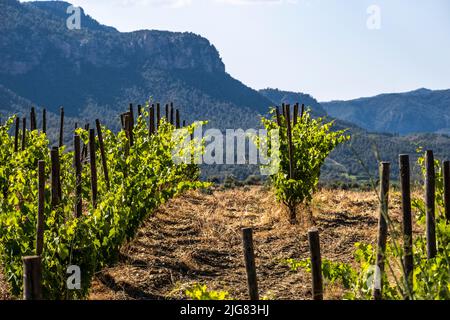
x=382 y=228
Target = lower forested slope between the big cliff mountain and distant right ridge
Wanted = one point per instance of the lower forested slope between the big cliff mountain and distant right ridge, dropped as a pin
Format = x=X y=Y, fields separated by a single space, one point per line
x=357 y=160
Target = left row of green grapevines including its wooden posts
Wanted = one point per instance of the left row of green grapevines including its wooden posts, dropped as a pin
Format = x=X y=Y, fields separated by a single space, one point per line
x=62 y=208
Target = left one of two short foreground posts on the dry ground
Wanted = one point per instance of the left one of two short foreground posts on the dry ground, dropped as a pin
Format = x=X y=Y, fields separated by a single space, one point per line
x=249 y=256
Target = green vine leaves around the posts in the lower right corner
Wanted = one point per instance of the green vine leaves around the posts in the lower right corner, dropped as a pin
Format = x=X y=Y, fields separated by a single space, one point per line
x=431 y=277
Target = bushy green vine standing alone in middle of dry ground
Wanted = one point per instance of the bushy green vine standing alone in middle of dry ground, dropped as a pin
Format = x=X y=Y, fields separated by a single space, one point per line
x=312 y=141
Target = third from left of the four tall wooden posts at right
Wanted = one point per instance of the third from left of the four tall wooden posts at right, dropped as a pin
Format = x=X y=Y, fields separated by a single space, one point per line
x=430 y=190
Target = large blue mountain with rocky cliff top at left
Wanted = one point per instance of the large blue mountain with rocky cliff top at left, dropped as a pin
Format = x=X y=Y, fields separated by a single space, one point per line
x=98 y=70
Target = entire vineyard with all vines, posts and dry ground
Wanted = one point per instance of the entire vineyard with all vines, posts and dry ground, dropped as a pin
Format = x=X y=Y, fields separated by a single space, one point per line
x=118 y=207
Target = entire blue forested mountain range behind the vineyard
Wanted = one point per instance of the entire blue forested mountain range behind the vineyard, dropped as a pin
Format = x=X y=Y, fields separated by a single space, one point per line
x=96 y=71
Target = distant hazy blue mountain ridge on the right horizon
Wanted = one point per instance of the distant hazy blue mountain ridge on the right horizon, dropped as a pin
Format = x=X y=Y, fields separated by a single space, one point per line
x=421 y=110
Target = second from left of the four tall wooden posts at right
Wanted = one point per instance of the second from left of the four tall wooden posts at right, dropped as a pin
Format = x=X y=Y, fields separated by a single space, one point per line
x=407 y=219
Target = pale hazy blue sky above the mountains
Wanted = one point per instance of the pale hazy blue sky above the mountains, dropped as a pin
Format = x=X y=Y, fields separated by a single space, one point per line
x=323 y=47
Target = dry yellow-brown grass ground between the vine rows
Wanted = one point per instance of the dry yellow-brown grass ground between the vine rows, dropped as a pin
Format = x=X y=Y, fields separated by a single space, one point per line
x=197 y=238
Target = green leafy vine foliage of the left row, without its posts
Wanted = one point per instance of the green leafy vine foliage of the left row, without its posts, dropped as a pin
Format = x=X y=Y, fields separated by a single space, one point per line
x=139 y=182
